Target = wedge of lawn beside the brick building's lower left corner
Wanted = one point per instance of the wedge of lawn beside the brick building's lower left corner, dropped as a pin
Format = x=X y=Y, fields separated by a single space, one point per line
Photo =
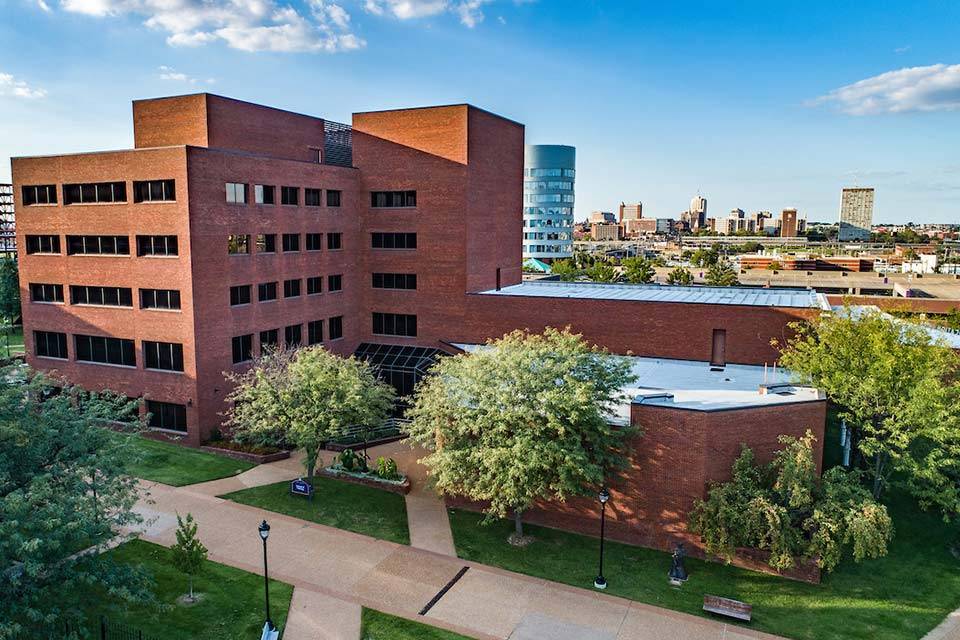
x=177 y=465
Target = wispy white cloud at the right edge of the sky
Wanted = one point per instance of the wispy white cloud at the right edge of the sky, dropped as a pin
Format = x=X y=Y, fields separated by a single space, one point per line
x=932 y=88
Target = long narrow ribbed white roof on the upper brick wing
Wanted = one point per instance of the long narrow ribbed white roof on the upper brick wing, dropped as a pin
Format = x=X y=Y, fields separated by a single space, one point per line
x=754 y=297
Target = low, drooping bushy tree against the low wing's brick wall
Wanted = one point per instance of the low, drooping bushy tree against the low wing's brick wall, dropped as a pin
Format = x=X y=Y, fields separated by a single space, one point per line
x=783 y=508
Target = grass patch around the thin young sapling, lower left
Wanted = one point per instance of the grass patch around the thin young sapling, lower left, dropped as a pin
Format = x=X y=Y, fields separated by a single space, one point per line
x=231 y=604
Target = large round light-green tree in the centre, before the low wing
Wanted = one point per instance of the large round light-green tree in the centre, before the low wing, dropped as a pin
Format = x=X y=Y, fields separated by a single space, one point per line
x=525 y=419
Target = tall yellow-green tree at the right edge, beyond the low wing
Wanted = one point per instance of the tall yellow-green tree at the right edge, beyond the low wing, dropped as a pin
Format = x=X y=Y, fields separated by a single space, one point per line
x=898 y=393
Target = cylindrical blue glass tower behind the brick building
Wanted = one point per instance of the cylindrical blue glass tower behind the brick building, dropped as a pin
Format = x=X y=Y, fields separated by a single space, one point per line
x=549 y=171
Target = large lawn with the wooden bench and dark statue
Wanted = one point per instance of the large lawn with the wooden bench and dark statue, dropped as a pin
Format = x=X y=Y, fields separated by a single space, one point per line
x=901 y=596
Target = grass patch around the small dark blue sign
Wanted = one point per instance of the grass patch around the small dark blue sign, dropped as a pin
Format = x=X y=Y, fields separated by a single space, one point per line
x=335 y=503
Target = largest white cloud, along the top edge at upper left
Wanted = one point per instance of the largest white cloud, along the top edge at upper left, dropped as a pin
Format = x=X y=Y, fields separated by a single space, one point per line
x=248 y=25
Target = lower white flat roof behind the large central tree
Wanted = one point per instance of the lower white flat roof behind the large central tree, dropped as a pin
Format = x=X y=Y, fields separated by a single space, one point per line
x=695 y=385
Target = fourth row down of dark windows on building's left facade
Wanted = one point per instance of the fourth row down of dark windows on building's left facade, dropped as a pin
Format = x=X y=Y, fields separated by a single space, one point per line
x=162 y=356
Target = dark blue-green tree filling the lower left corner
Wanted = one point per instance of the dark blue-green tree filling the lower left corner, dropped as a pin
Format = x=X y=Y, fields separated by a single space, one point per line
x=64 y=494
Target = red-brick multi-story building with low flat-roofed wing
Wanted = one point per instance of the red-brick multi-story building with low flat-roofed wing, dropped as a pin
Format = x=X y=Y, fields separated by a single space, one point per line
x=231 y=227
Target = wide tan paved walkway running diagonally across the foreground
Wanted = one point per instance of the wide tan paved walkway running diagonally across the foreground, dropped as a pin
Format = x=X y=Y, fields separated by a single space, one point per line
x=361 y=571
